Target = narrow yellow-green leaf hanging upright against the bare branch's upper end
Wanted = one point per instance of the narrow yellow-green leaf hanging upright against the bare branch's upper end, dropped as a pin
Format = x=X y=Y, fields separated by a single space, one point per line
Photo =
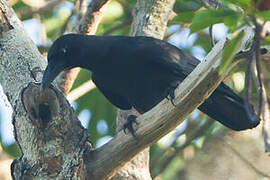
x=229 y=52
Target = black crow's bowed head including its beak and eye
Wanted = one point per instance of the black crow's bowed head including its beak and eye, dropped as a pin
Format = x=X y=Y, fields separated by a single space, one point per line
x=63 y=55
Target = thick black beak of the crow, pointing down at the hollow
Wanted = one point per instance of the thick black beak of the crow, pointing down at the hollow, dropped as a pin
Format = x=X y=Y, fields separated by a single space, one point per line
x=50 y=73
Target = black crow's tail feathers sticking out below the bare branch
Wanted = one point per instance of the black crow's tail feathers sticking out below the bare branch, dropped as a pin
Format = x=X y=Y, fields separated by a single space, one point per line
x=228 y=108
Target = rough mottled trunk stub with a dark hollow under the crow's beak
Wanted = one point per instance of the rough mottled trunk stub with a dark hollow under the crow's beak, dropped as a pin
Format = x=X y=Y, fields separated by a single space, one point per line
x=50 y=136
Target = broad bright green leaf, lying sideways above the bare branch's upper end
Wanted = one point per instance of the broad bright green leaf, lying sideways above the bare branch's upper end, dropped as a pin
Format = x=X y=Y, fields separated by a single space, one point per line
x=207 y=17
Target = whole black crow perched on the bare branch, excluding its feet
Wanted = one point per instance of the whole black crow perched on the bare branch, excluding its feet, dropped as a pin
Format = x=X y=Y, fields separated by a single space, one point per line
x=139 y=72
